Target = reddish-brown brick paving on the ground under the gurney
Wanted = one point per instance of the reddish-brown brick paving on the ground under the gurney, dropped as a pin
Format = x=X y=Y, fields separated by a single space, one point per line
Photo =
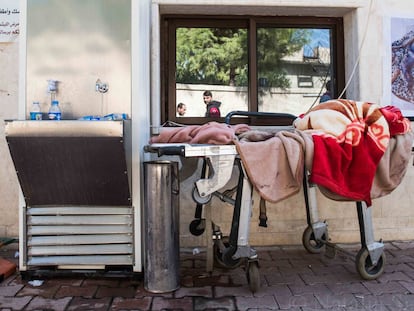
x=290 y=279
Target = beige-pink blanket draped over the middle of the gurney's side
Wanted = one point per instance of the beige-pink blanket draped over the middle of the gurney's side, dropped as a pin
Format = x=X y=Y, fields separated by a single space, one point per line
x=274 y=161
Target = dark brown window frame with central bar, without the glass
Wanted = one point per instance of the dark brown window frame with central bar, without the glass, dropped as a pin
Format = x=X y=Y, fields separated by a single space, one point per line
x=170 y=22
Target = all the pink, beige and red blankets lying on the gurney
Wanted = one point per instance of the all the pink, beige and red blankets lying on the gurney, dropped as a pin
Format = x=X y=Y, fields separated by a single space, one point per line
x=344 y=144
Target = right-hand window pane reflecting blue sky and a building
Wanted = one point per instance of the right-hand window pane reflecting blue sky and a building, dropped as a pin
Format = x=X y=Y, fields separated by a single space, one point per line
x=293 y=67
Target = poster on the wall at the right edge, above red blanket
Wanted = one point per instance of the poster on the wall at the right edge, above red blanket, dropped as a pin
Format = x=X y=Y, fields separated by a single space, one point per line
x=402 y=65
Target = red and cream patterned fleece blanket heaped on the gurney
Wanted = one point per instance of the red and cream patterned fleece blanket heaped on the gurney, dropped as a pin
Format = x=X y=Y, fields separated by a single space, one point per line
x=349 y=141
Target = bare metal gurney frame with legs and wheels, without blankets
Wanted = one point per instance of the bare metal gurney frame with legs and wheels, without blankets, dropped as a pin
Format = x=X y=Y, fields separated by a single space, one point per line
x=218 y=165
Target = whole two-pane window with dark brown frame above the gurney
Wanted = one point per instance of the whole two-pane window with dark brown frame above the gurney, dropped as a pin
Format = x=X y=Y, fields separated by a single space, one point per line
x=278 y=64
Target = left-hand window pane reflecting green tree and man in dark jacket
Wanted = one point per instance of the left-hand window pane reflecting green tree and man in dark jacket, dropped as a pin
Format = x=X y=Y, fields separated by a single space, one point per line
x=211 y=70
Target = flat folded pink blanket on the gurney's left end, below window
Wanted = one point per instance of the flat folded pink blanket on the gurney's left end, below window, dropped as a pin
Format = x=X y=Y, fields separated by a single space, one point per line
x=209 y=133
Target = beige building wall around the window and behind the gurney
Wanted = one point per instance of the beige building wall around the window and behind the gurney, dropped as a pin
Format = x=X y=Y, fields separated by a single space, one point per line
x=392 y=215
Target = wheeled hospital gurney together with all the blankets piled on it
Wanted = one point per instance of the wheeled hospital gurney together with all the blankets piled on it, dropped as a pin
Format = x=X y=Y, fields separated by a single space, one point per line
x=303 y=150
